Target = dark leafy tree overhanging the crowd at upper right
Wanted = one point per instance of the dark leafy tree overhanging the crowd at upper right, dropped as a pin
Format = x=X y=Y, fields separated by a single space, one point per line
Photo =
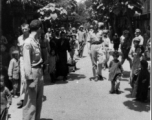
x=117 y=11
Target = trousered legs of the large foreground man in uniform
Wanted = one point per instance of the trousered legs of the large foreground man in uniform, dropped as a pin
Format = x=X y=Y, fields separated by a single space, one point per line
x=33 y=97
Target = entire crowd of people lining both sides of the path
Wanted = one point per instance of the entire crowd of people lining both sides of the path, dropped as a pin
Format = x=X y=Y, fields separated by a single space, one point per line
x=36 y=53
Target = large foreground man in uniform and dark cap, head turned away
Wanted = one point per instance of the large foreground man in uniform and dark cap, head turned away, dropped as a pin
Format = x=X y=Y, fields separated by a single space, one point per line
x=33 y=73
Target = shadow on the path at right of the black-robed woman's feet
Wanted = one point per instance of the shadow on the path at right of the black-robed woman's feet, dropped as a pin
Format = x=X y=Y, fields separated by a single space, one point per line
x=74 y=76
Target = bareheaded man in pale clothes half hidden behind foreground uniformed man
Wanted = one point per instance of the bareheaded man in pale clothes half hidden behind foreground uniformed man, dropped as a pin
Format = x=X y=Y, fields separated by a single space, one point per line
x=21 y=39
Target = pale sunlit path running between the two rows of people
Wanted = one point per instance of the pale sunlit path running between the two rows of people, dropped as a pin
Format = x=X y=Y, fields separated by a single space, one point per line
x=82 y=99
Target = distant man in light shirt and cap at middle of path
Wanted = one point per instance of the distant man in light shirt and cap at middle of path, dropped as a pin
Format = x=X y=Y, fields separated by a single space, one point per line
x=82 y=40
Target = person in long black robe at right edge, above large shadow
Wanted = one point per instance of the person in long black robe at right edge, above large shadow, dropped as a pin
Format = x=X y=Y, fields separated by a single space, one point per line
x=140 y=89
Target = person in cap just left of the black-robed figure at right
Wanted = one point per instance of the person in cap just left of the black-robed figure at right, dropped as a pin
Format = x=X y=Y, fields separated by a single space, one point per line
x=135 y=54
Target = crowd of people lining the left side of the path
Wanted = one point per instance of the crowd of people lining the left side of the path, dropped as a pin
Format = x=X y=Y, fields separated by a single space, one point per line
x=34 y=54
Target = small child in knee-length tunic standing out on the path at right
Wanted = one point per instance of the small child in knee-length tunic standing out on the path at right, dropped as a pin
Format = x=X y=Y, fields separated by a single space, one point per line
x=115 y=74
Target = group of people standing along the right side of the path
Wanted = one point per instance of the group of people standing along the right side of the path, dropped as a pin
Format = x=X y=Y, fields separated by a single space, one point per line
x=134 y=50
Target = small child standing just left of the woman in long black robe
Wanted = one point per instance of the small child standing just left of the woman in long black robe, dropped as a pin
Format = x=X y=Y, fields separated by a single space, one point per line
x=52 y=65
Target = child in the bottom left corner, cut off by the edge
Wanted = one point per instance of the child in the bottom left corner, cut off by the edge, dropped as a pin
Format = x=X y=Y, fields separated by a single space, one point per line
x=5 y=99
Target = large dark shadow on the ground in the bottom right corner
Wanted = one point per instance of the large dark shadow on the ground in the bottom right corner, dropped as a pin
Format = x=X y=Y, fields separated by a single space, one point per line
x=137 y=106
